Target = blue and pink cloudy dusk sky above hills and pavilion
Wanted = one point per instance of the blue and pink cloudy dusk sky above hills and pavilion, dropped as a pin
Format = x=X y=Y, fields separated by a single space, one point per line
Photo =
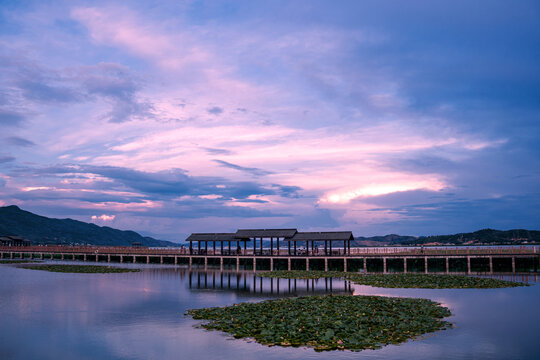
x=172 y=117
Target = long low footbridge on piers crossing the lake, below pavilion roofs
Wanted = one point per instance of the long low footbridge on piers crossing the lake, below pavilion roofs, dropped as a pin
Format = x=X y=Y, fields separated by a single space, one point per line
x=442 y=260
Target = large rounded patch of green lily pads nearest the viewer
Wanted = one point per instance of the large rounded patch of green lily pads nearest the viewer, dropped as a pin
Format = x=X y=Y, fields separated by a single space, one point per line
x=328 y=322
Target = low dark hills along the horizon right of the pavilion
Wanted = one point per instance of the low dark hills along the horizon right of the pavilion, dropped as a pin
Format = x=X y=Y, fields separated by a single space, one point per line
x=480 y=237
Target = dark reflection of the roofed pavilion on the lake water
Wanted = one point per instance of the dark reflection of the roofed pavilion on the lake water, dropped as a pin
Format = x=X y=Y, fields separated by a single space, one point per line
x=244 y=282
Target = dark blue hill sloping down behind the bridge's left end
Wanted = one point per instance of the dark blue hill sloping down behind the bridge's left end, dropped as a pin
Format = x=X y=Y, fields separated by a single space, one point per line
x=43 y=230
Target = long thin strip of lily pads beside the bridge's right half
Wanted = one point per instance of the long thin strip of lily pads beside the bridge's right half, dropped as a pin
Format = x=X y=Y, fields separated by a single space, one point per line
x=425 y=281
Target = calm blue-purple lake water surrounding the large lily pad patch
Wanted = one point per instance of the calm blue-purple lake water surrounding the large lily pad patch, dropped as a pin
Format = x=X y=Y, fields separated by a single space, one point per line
x=141 y=316
